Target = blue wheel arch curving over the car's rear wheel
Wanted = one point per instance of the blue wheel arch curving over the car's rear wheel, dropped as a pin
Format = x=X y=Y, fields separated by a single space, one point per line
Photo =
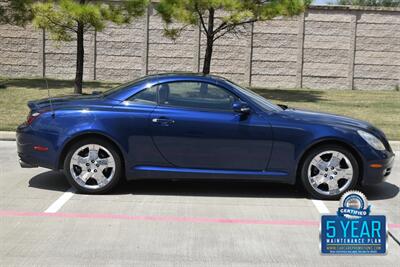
x=81 y=136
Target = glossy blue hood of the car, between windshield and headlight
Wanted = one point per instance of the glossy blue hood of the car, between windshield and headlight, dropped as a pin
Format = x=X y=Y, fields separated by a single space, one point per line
x=331 y=119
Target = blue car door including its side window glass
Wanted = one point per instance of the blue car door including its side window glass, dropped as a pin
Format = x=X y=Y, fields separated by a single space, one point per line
x=194 y=126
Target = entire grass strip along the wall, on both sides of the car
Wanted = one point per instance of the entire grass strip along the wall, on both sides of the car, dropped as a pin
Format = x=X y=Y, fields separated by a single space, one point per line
x=381 y=108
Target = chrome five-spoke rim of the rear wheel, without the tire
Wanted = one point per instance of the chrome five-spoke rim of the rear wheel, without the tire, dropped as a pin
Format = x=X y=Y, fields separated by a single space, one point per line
x=92 y=166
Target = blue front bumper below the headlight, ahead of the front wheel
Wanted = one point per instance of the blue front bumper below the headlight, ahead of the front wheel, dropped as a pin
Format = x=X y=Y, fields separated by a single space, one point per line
x=377 y=175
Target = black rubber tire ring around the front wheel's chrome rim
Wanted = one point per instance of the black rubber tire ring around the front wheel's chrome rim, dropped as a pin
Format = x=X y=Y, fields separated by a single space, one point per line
x=316 y=151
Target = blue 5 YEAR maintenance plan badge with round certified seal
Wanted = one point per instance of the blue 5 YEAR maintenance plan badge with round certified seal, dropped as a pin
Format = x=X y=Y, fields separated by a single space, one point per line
x=353 y=230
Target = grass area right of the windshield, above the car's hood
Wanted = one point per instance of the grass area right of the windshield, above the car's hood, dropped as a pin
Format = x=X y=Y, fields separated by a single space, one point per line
x=381 y=108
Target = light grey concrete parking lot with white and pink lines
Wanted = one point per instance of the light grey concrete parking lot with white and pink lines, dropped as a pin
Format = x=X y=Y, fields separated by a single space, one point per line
x=172 y=223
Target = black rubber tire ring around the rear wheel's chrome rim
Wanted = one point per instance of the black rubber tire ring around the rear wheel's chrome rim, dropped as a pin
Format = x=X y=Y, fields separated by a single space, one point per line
x=111 y=149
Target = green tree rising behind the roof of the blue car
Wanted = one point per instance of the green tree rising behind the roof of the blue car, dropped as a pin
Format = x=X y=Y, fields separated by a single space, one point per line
x=219 y=17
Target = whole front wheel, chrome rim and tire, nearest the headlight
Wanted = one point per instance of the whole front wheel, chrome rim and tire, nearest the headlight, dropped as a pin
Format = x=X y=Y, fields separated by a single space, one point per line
x=329 y=171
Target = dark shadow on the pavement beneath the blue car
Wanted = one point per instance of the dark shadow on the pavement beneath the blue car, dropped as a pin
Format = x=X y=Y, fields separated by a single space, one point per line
x=56 y=181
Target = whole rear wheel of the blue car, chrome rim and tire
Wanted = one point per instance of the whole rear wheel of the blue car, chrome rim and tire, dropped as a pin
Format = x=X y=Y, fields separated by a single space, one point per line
x=93 y=166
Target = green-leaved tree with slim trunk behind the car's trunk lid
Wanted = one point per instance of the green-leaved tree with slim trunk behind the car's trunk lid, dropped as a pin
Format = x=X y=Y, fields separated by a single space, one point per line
x=66 y=19
